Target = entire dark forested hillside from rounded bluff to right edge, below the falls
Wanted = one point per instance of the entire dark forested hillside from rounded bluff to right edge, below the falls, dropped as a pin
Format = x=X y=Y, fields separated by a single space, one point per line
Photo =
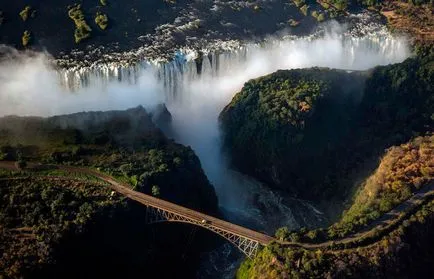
x=316 y=132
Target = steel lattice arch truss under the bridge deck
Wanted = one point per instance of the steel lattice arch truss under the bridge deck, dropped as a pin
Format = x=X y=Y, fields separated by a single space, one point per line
x=247 y=246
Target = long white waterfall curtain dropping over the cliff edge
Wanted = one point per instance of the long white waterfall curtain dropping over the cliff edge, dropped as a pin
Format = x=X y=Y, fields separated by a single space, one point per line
x=333 y=50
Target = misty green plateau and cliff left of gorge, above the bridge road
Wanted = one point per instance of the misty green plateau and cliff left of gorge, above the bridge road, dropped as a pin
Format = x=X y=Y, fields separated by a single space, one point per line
x=125 y=144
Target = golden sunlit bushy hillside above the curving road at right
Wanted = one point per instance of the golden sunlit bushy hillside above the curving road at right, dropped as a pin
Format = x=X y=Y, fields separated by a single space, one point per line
x=402 y=171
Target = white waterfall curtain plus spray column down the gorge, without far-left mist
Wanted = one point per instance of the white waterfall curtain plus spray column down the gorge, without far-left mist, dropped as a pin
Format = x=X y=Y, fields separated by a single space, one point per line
x=197 y=85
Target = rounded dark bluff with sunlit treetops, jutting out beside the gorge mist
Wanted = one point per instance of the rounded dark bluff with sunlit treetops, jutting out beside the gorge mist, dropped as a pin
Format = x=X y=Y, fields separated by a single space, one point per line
x=286 y=127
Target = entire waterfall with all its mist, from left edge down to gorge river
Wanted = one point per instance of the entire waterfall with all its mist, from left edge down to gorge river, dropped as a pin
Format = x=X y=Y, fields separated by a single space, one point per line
x=195 y=88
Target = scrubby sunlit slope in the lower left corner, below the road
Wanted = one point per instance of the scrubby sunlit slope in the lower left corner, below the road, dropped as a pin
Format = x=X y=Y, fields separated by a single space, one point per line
x=36 y=213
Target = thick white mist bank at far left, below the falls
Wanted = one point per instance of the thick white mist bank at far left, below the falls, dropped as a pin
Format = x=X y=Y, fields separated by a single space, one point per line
x=30 y=85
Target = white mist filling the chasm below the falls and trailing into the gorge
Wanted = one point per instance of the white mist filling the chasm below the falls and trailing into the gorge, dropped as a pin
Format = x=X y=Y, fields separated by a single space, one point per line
x=30 y=86
